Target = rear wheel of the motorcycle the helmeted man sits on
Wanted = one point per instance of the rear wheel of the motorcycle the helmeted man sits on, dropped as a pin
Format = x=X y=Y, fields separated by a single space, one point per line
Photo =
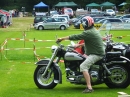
x=119 y=78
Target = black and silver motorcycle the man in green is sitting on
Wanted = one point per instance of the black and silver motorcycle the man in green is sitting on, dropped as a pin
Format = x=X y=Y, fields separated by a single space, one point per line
x=113 y=69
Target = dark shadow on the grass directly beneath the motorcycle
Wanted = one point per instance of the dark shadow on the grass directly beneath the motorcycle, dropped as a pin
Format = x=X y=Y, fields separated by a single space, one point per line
x=70 y=89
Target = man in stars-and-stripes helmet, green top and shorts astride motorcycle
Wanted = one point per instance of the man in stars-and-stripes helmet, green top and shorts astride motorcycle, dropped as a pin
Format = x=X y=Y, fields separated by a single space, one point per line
x=94 y=48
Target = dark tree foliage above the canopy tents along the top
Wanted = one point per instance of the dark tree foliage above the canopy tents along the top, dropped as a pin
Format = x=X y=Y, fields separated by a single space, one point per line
x=28 y=4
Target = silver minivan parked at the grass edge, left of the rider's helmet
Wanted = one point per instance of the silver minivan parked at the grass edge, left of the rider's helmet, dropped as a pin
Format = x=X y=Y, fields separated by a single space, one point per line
x=53 y=23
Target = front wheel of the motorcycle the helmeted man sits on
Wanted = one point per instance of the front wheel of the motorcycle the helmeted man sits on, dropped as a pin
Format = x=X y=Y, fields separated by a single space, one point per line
x=47 y=81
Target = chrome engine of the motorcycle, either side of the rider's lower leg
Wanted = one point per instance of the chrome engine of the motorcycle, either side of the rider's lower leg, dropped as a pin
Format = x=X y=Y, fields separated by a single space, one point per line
x=75 y=76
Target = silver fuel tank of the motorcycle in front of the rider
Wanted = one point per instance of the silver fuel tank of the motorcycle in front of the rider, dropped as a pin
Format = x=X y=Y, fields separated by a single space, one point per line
x=73 y=56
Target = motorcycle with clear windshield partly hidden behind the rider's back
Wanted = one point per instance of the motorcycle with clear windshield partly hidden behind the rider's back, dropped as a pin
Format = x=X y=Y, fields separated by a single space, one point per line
x=110 y=45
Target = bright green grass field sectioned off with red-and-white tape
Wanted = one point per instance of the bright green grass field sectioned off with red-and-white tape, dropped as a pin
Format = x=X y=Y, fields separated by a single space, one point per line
x=17 y=65
